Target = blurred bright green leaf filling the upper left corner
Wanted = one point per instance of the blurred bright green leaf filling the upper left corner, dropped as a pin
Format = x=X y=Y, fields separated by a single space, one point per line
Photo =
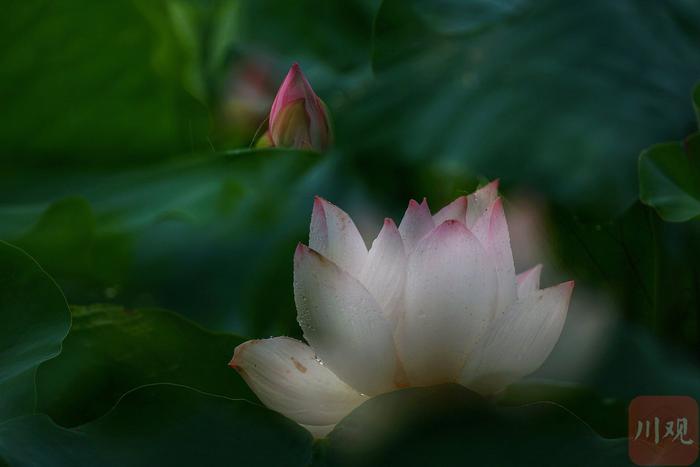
x=92 y=83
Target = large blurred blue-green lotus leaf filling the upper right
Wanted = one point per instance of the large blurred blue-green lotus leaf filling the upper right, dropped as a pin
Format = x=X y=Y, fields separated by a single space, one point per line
x=554 y=96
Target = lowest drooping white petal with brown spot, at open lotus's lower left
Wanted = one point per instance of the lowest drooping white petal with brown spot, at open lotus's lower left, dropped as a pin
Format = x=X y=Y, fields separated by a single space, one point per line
x=286 y=376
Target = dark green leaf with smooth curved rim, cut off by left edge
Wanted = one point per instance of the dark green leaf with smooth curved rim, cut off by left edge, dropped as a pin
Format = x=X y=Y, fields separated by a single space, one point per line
x=35 y=319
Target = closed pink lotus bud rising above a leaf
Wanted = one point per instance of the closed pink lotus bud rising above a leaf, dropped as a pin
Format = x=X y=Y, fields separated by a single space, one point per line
x=298 y=117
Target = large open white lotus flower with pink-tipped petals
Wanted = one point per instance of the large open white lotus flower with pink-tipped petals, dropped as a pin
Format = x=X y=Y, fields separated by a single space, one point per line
x=434 y=300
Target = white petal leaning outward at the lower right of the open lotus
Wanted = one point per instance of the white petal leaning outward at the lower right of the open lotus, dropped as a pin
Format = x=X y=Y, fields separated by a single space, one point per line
x=520 y=341
